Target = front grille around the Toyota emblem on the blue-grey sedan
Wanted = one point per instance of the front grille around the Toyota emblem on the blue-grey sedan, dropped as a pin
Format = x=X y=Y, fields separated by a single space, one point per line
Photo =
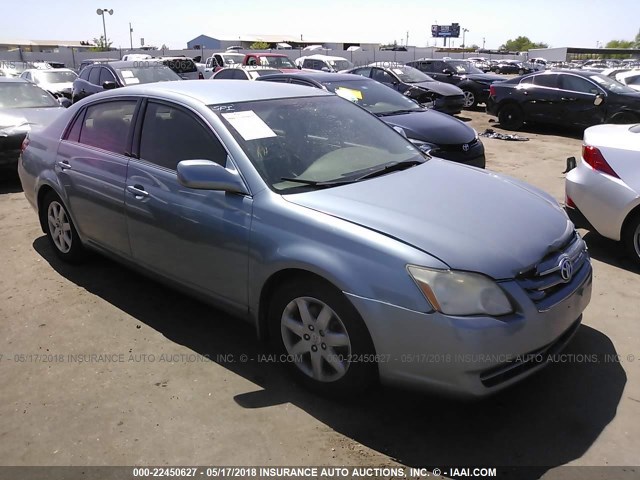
x=544 y=283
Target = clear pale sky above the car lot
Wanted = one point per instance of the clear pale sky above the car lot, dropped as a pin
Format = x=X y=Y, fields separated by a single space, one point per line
x=580 y=23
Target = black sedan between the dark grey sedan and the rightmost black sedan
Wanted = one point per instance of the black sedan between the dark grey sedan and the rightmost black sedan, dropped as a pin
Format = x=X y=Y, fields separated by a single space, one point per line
x=473 y=81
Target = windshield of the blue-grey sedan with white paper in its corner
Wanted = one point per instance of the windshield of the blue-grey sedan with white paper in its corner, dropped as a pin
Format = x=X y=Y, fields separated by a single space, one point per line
x=311 y=140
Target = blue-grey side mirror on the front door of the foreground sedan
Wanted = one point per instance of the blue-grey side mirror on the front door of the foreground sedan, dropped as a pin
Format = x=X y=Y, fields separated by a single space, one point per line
x=208 y=175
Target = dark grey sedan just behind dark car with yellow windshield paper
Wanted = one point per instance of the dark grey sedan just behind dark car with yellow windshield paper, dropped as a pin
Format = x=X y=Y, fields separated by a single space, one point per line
x=416 y=85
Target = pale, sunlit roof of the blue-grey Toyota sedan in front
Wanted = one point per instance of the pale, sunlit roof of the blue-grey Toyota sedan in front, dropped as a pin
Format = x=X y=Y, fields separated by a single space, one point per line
x=216 y=92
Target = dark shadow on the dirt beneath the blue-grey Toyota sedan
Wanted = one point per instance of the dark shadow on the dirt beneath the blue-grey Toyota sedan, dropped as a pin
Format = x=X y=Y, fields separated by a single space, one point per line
x=548 y=420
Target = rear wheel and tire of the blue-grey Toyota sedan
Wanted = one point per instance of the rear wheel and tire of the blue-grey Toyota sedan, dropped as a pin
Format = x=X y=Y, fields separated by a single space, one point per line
x=60 y=229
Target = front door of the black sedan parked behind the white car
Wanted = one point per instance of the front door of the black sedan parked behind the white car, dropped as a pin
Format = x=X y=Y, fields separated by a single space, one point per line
x=579 y=101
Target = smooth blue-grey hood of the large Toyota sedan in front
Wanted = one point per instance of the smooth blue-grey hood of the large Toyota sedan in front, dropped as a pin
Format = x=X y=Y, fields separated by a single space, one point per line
x=470 y=219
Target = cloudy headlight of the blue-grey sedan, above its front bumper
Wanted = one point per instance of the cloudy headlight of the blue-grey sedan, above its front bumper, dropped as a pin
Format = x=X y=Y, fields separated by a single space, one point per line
x=460 y=293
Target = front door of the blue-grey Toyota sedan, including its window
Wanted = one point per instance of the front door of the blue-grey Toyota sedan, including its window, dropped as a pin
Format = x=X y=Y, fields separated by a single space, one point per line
x=198 y=238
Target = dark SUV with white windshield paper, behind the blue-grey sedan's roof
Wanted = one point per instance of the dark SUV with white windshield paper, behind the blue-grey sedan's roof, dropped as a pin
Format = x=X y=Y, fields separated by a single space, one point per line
x=98 y=77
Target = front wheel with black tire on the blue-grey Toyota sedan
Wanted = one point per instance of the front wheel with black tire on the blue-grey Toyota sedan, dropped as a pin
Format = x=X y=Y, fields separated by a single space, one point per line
x=359 y=375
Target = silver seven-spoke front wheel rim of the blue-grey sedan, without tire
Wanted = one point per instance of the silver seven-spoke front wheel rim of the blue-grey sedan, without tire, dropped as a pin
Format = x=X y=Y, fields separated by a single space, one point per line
x=316 y=339
